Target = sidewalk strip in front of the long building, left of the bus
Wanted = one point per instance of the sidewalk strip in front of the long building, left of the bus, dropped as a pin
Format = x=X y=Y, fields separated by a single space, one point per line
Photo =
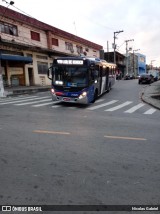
x=18 y=90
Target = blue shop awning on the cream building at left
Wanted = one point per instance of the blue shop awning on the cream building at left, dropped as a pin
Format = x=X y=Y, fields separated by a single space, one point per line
x=24 y=59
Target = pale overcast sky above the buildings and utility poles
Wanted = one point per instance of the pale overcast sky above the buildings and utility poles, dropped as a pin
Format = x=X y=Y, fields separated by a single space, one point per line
x=97 y=20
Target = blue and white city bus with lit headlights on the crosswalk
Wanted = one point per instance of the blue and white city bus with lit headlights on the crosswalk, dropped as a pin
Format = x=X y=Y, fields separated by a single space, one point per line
x=80 y=79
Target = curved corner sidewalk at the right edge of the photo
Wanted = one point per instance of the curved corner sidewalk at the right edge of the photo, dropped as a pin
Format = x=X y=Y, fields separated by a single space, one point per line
x=151 y=94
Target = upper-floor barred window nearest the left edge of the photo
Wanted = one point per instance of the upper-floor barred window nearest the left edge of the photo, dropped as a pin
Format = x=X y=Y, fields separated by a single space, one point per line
x=8 y=29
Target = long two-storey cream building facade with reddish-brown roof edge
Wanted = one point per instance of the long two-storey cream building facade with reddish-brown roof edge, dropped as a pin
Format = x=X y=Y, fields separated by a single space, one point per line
x=28 y=47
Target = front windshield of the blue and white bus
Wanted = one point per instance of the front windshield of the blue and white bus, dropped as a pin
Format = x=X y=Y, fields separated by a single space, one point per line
x=70 y=76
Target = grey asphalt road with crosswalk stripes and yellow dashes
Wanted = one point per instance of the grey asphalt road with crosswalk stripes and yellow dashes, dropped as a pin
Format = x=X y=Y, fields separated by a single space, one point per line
x=68 y=154
